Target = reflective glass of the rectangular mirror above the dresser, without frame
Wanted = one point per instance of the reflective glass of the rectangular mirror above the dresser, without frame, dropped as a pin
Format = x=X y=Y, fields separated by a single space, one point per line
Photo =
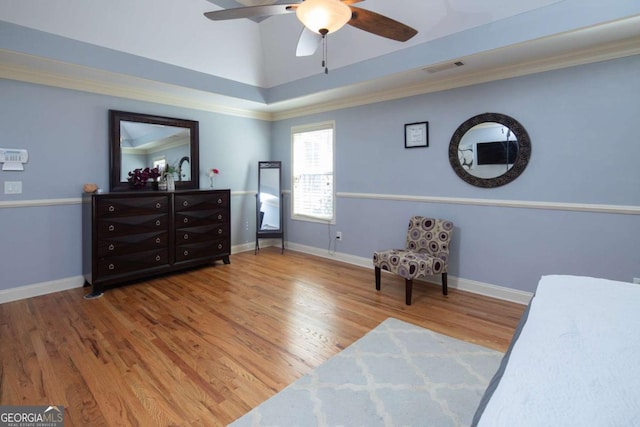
x=153 y=145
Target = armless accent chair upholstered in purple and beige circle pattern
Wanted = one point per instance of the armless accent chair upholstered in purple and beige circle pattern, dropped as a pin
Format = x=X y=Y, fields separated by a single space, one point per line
x=426 y=253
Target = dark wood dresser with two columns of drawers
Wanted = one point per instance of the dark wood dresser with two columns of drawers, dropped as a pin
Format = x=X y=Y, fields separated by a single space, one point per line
x=134 y=235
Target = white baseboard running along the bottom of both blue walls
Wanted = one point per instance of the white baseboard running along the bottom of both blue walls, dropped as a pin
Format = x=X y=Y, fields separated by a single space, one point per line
x=472 y=286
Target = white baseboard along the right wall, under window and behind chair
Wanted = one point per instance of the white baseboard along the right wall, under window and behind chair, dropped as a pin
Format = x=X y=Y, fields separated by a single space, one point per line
x=473 y=286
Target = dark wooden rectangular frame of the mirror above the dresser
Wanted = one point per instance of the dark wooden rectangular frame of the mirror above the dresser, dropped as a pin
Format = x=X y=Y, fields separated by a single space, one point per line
x=115 y=152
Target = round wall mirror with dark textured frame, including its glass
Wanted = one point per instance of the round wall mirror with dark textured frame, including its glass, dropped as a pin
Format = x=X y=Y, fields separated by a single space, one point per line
x=489 y=150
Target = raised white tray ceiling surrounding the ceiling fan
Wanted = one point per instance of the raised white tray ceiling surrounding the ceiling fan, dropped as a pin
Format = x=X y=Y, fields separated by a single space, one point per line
x=494 y=39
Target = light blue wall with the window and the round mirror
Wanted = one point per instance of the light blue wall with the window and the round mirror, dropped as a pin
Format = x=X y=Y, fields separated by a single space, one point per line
x=582 y=123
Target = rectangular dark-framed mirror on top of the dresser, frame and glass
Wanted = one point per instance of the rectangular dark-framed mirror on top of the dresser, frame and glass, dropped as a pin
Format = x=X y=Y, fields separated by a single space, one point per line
x=138 y=141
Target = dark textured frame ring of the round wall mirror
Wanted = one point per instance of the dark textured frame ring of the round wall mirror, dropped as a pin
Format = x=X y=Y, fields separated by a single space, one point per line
x=519 y=165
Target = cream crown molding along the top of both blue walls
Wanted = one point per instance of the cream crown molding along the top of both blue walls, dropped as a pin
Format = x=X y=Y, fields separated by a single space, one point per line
x=37 y=70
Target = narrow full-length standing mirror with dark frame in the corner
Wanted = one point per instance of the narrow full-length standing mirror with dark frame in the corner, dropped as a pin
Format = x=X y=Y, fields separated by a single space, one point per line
x=269 y=203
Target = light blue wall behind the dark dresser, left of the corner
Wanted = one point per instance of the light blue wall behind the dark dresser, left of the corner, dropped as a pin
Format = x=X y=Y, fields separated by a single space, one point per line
x=66 y=134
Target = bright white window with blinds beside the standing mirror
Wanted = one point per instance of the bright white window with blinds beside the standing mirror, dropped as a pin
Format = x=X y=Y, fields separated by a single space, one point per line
x=313 y=180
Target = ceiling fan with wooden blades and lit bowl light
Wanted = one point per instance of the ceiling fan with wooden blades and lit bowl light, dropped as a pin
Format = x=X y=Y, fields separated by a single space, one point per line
x=321 y=17
